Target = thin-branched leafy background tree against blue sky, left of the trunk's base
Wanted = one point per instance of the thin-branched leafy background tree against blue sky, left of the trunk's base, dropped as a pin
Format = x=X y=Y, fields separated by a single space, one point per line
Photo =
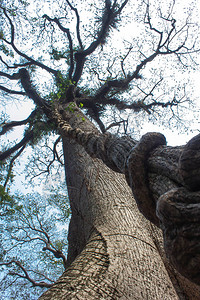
x=33 y=242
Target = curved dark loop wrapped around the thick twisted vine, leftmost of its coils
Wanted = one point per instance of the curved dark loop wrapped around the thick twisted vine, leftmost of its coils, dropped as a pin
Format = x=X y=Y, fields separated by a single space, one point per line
x=137 y=173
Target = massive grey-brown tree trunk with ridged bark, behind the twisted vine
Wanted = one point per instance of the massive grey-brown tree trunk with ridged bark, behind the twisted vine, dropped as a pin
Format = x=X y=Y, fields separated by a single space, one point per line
x=114 y=252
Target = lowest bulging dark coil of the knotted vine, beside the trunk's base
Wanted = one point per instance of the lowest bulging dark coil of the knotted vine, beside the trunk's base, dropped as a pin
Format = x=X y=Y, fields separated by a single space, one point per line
x=179 y=213
